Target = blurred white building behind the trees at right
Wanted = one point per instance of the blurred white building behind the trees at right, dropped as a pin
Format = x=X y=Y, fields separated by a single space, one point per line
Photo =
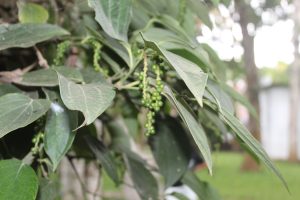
x=274 y=120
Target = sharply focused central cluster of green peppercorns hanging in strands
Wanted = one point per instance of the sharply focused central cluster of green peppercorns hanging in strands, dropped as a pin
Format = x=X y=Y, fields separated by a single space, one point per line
x=151 y=98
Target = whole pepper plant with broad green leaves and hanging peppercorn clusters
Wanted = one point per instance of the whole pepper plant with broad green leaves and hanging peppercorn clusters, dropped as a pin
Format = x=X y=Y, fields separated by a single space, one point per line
x=132 y=66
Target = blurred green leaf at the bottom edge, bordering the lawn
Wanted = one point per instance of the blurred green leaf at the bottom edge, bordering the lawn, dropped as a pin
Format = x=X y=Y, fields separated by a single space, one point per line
x=203 y=189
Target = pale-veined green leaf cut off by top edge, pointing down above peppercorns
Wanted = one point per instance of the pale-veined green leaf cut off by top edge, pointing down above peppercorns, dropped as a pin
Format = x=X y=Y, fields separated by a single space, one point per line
x=113 y=16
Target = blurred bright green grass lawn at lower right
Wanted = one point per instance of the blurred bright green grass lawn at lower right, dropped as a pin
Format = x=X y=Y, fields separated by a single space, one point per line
x=233 y=184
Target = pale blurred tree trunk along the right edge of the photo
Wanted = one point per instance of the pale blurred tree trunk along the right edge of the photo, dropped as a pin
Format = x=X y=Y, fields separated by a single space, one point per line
x=294 y=88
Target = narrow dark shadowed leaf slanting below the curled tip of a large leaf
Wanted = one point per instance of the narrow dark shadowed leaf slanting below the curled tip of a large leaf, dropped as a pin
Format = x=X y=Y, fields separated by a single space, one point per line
x=104 y=156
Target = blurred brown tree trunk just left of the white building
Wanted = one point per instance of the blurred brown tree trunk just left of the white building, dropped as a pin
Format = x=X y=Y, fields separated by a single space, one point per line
x=252 y=79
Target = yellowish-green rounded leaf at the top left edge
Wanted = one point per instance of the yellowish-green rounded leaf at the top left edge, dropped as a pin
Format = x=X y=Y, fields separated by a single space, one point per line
x=32 y=13
